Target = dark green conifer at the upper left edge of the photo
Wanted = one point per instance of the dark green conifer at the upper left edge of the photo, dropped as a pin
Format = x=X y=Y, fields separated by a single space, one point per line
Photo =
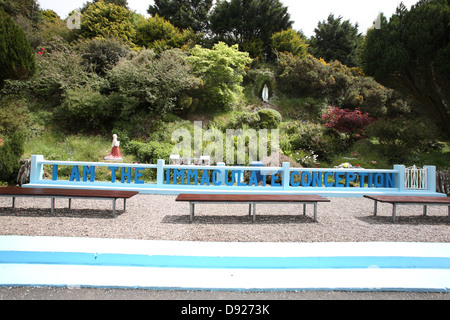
x=17 y=58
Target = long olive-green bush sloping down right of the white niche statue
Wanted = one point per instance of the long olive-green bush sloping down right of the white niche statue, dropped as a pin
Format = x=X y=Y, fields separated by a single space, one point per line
x=339 y=84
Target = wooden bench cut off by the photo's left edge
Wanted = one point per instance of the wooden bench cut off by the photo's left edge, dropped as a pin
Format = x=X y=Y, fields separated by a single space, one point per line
x=54 y=193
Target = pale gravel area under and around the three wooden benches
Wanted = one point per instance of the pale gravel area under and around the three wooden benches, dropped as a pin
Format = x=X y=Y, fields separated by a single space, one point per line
x=159 y=217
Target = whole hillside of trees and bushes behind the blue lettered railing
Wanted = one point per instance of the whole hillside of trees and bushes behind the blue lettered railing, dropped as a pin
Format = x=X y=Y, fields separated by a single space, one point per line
x=143 y=79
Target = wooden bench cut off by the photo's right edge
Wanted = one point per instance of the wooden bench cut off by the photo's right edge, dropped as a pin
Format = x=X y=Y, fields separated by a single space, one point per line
x=410 y=200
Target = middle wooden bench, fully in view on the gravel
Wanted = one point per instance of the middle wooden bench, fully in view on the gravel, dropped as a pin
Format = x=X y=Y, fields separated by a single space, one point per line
x=251 y=200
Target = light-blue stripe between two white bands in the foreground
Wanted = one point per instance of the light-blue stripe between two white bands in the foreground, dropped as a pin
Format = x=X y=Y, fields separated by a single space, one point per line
x=166 y=261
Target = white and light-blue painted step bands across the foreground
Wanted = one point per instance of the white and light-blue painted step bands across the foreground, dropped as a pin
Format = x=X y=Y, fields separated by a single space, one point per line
x=241 y=267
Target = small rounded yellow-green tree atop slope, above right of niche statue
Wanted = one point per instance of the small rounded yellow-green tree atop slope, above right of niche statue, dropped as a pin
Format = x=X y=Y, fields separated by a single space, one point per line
x=289 y=41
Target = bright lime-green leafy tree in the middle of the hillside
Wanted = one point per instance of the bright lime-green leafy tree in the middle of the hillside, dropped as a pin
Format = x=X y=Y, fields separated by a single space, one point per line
x=221 y=70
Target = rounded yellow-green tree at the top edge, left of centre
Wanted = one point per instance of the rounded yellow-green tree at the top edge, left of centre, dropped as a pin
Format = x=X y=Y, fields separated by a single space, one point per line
x=107 y=20
